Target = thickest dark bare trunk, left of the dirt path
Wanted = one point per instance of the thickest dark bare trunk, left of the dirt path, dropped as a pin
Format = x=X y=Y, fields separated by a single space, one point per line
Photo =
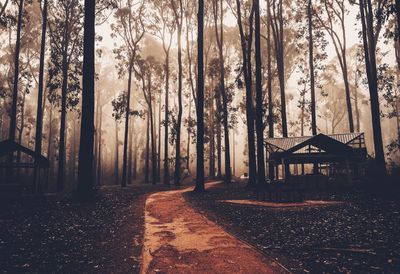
x=85 y=168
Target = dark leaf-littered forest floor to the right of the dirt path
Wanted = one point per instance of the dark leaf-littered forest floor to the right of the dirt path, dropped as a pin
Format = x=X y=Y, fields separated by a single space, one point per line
x=358 y=234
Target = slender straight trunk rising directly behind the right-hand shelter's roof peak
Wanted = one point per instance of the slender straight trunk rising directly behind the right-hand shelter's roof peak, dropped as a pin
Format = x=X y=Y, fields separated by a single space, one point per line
x=311 y=64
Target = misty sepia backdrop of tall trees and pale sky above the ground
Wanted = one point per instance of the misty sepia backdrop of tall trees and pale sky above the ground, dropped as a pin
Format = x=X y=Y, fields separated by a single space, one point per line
x=122 y=91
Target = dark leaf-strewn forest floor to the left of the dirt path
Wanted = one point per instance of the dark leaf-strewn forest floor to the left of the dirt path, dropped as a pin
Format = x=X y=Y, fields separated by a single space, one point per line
x=49 y=235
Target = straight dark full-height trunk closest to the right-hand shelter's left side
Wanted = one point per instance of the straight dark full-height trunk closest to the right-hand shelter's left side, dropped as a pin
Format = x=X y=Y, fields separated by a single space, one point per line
x=259 y=100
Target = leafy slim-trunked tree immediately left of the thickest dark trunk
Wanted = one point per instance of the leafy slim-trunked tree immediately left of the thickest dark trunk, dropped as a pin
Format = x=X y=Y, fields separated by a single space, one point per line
x=65 y=28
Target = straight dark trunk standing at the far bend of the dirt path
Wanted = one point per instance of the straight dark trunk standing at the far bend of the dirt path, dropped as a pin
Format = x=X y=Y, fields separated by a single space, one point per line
x=200 y=100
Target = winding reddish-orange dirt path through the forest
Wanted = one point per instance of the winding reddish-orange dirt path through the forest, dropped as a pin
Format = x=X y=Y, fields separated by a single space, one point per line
x=180 y=240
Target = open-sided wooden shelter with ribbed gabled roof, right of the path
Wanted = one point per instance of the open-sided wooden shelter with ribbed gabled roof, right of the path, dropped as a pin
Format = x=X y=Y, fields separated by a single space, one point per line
x=322 y=154
